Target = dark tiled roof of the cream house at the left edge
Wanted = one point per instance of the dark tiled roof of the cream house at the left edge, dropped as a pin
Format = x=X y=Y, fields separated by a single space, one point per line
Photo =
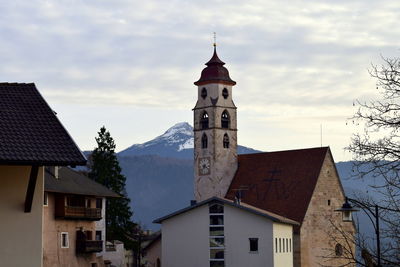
x=30 y=132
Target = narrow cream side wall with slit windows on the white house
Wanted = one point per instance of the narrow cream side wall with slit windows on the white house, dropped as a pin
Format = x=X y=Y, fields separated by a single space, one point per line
x=283 y=256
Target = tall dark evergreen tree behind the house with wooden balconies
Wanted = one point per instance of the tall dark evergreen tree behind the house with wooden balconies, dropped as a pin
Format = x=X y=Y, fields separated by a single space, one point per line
x=105 y=170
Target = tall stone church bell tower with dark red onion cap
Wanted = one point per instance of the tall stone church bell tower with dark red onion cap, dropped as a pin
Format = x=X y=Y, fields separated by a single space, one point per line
x=215 y=131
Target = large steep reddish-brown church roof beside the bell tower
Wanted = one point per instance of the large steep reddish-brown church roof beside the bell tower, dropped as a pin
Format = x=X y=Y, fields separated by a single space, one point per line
x=281 y=182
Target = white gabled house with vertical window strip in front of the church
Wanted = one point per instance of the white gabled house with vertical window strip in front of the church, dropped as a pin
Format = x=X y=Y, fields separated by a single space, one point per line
x=219 y=232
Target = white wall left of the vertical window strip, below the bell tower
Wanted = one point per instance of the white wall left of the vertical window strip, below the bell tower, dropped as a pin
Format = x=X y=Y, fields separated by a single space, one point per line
x=185 y=239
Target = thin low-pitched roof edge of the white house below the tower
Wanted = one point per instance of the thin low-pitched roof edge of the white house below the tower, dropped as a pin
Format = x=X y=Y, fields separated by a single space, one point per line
x=242 y=206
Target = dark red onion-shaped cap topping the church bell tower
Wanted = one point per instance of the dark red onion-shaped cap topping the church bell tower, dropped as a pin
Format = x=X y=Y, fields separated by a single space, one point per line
x=215 y=72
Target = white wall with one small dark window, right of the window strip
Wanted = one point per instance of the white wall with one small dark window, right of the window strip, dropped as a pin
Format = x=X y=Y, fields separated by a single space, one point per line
x=241 y=225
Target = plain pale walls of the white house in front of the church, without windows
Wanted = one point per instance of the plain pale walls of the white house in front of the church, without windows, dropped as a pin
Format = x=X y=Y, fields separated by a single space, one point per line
x=185 y=239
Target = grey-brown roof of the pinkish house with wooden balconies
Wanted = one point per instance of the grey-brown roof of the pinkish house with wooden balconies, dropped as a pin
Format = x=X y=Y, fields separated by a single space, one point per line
x=72 y=182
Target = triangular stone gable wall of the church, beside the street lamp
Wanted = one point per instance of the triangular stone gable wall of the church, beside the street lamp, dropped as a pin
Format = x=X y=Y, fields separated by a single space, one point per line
x=317 y=232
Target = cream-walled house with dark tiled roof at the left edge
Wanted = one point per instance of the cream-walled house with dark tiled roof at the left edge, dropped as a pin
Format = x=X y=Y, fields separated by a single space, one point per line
x=31 y=137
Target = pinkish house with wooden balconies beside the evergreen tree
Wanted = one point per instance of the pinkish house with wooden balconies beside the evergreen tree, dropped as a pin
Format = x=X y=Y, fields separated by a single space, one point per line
x=74 y=219
